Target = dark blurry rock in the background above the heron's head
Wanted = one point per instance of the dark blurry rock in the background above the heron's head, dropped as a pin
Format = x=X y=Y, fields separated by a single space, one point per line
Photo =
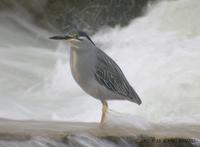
x=67 y=14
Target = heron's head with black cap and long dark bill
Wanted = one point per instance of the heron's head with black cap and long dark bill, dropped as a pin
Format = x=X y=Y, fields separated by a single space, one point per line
x=75 y=39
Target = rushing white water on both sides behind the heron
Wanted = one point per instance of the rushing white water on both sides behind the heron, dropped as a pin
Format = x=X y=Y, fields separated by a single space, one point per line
x=159 y=53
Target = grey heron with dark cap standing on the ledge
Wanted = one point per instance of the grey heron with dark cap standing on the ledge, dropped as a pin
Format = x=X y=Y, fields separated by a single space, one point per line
x=96 y=72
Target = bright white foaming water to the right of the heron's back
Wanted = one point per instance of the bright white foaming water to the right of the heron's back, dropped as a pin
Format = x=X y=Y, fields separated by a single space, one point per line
x=159 y=54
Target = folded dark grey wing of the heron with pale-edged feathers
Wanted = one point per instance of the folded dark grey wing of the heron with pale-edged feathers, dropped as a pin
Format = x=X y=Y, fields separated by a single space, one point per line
x=110 y=76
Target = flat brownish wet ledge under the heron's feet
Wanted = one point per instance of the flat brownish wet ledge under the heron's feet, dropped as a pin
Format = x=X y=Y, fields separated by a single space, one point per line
x=27 y=133
